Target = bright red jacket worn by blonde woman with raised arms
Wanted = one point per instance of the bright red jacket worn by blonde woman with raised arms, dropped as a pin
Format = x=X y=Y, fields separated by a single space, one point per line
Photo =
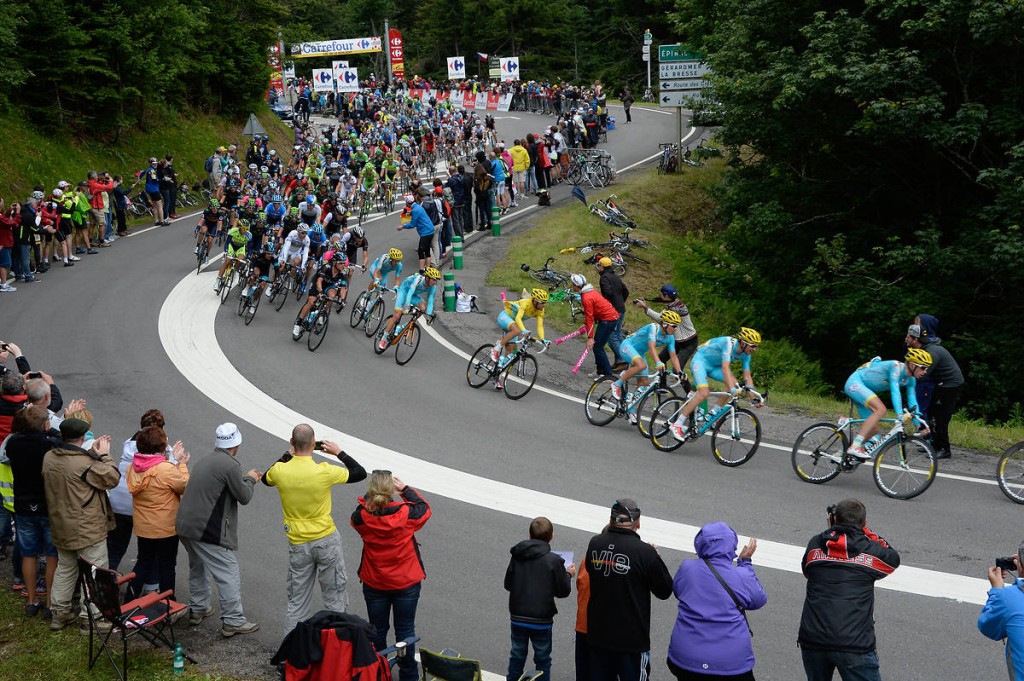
x=392 y=559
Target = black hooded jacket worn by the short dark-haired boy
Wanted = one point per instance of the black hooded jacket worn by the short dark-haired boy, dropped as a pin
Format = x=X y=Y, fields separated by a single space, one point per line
x=535 y=578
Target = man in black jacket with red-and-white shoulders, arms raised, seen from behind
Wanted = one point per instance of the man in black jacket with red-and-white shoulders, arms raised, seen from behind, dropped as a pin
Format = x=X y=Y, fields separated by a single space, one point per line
x=842 y=565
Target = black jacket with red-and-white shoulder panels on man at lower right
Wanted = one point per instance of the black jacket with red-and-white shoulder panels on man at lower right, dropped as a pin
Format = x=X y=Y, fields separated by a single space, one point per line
x=842 y=567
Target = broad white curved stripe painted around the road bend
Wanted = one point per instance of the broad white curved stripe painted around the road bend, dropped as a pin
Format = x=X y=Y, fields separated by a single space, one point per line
x=187 y=328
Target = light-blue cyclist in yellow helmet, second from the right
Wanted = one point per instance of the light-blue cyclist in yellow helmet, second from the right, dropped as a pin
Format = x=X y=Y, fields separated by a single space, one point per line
x=714 y=360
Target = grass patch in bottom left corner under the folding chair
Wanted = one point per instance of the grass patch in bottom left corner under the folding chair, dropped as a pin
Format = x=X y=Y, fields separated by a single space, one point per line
x=30 y=652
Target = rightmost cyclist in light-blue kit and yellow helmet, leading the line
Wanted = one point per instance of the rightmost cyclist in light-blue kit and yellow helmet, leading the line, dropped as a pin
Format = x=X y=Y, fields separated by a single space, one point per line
x=876 y=377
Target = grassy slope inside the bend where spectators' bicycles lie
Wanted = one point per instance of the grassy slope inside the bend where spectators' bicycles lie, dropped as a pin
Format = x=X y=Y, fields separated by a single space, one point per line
x=680 y=212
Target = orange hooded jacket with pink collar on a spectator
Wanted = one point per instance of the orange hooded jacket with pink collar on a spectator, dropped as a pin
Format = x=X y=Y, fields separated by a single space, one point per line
x=156 y=486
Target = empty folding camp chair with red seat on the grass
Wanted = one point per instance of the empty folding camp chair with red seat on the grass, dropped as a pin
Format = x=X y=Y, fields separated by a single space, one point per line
x=151 y=616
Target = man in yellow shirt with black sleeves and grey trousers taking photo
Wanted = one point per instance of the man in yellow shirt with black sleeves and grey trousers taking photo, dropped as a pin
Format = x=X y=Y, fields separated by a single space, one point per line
x=315 y=545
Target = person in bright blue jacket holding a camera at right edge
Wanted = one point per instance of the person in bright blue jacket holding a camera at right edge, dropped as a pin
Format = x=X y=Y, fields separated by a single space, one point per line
x=1003 y=616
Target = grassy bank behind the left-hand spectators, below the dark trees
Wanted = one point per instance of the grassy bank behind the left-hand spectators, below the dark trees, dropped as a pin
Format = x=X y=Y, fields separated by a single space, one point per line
x=28 y=157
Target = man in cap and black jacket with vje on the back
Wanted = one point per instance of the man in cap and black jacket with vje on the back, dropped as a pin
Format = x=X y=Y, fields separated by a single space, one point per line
x=624 y=573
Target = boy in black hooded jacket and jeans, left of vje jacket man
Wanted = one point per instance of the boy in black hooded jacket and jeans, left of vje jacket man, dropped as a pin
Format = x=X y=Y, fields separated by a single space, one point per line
x=535 y=578
